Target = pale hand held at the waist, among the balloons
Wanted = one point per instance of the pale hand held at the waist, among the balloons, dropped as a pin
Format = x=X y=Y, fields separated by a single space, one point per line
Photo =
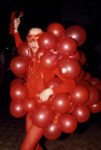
x=44 y=95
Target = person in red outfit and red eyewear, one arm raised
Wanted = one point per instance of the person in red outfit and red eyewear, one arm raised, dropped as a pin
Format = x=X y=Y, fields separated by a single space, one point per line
x=36 y=79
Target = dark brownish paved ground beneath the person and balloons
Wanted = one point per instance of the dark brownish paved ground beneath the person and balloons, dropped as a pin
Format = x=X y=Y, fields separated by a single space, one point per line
x=86 y=137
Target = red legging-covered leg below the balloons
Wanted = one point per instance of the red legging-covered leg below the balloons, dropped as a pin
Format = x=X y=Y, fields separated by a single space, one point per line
x=33 y=136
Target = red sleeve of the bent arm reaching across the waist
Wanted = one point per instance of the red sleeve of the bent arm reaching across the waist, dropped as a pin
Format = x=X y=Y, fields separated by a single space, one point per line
x=66 y=86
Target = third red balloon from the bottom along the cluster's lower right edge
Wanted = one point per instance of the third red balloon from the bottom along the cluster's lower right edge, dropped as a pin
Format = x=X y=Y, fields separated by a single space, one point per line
x=81 y=113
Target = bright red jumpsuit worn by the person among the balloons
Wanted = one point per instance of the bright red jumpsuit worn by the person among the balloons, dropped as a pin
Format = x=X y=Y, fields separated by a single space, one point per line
x=37 y=77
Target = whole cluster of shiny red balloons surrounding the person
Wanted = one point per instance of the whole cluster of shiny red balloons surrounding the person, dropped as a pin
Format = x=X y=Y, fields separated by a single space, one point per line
x=58 y=48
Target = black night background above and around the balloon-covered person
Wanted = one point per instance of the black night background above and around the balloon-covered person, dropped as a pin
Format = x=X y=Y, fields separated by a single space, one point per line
x=40 y=14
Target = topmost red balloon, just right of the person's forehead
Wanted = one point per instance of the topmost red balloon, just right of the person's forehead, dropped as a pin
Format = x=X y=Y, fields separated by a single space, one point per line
x=56 y=29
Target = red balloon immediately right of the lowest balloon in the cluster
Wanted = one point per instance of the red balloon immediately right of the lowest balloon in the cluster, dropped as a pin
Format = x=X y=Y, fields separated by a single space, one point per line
x=67 y=123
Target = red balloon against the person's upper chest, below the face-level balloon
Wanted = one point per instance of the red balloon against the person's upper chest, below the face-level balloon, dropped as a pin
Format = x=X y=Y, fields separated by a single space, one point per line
x=49 y=60
